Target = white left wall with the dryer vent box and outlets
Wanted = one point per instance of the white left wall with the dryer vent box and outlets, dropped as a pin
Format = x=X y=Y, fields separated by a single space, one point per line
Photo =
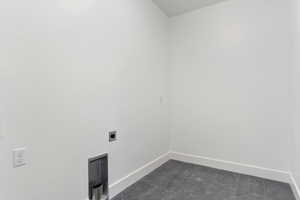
x=70 y=72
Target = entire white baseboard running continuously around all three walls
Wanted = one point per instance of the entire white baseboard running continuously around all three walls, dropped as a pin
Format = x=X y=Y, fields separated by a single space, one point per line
x=272 y=174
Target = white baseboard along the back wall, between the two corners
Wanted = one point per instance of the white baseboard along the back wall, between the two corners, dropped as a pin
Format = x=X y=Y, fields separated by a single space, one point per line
x=252 y=170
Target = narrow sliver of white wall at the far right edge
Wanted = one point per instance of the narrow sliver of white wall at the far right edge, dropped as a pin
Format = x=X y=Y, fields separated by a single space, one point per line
x=296 y=89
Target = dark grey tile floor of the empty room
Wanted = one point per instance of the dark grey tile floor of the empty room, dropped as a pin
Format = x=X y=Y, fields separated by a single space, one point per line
x=181 y=181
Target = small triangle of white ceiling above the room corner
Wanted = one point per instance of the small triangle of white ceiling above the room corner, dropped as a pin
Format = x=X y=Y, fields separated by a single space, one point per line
x=177 y=7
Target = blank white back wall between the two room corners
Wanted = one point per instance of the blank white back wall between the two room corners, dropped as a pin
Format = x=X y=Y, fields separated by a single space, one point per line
x=230 y=83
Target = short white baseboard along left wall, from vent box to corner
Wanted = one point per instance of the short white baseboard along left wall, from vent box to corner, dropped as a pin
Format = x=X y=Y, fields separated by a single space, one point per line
x=118 y=186
